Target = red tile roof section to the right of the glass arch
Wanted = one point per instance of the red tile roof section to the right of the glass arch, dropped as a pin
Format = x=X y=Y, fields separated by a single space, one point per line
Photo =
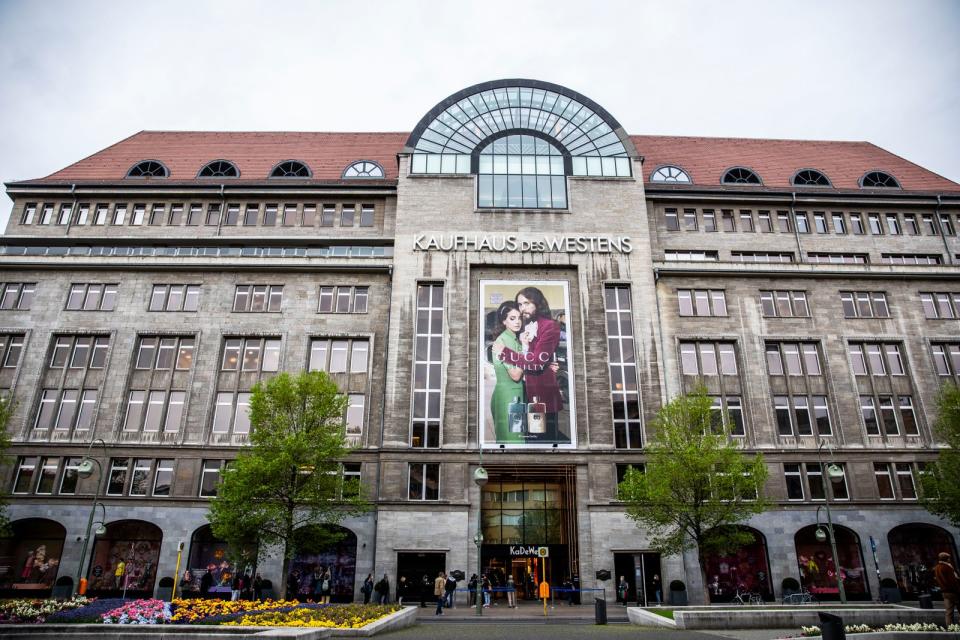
x=775 y=161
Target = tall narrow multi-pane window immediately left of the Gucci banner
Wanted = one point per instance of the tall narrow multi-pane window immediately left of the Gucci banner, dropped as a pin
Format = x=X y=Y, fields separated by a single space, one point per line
x=427 y=365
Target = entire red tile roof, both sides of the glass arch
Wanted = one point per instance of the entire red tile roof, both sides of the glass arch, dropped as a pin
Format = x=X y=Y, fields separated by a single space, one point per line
x=328 y=154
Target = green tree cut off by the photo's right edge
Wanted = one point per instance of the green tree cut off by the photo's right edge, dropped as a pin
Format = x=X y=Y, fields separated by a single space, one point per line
x=941 y=480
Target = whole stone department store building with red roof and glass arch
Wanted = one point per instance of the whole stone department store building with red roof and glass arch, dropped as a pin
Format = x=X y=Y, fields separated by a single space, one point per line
x=518 y=279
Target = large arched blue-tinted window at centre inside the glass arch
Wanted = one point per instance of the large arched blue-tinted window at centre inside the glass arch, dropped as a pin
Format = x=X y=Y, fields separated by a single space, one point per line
x=521 y=171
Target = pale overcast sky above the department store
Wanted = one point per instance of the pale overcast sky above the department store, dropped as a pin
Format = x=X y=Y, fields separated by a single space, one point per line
x=76 y=76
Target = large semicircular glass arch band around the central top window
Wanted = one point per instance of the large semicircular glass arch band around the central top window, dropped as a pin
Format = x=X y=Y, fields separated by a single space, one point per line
x=448 y=138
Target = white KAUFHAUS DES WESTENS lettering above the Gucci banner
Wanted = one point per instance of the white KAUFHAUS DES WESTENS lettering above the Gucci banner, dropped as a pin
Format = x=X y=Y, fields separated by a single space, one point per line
x=514 y=243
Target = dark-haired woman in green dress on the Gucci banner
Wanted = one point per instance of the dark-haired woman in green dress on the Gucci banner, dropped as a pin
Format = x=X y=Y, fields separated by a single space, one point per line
x=509 y=387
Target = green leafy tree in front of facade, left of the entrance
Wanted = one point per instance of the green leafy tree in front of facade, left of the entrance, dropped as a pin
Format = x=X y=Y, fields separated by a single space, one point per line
x=289 y=479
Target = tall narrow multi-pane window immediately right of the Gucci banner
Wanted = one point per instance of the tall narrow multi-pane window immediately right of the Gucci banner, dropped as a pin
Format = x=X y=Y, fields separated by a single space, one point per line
x=621 y=359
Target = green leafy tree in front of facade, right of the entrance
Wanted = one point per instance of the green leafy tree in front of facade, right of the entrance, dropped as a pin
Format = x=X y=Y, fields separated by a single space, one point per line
x=696 y=485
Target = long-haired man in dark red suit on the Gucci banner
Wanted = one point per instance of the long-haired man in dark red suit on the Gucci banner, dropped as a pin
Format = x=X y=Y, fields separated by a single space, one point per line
x=540 y=337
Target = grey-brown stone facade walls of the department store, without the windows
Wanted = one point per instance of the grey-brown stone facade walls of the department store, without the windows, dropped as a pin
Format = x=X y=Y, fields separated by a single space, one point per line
x=405 y=210
